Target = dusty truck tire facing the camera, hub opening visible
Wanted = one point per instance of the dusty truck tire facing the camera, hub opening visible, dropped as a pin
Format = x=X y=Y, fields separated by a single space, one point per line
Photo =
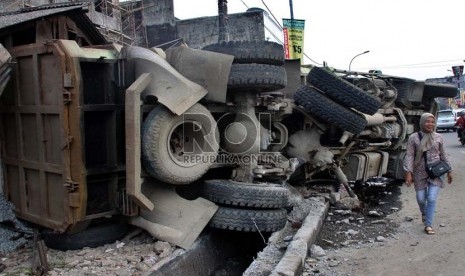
x=179 y=149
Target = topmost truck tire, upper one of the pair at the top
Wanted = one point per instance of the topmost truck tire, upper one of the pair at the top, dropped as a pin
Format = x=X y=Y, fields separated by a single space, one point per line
x=264 y=52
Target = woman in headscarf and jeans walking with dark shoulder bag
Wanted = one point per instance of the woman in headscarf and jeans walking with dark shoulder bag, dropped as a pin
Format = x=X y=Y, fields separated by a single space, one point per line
x=432 y=144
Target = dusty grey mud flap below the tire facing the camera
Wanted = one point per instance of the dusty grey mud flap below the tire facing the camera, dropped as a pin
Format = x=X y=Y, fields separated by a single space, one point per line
x=173 y=218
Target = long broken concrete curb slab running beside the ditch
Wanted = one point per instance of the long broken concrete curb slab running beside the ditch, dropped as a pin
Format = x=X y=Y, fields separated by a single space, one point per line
x=293 y=260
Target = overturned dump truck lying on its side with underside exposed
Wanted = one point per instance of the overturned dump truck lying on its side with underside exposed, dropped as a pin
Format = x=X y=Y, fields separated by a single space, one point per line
x=98 y=133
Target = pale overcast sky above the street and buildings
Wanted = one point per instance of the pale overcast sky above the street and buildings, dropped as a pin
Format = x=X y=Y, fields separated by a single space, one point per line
x=418 y=39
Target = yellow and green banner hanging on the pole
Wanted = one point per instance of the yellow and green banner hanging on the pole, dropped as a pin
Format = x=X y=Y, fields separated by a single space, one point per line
x=293 y=30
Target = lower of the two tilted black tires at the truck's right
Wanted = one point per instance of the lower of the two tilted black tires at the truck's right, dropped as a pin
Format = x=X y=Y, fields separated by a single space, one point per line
x=329 y=111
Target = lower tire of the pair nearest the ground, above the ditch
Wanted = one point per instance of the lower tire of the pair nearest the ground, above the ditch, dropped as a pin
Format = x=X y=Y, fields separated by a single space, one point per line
x=249 y=220
